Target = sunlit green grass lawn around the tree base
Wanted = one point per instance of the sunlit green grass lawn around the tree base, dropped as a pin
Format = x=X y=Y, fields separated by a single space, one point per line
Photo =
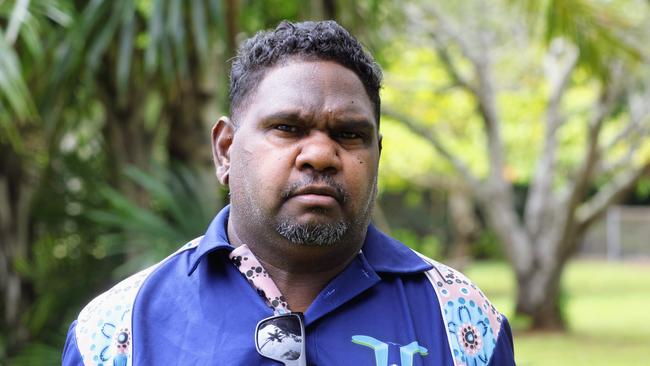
x=608 y=308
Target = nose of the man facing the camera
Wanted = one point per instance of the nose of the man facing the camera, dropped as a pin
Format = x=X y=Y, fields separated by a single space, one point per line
x=319 y=152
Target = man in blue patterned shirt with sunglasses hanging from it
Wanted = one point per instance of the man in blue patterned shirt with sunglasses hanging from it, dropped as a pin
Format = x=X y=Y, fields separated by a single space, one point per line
x=300 y=154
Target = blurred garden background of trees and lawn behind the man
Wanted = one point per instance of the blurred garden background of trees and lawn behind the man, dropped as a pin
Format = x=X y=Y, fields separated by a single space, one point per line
x=516 y=148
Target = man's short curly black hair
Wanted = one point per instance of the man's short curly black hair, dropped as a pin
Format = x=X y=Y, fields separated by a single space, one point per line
x=323 y=40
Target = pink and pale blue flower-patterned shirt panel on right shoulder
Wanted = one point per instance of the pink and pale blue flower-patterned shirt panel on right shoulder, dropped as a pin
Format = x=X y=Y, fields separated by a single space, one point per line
x=473 y=323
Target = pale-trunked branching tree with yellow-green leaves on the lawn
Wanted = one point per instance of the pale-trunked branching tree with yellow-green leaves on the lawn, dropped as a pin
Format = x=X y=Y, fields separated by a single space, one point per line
x=484 y=58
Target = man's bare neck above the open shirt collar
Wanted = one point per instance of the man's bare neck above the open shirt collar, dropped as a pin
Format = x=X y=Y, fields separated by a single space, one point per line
x=299 y=271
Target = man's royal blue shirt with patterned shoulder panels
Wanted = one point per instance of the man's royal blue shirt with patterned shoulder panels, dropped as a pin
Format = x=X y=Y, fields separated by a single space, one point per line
x=196 y=308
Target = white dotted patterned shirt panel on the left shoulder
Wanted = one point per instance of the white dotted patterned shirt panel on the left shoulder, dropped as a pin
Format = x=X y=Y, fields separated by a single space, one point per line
x=103 y=329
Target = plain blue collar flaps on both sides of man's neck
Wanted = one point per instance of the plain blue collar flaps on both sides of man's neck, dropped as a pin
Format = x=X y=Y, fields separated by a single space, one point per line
x=383 y=253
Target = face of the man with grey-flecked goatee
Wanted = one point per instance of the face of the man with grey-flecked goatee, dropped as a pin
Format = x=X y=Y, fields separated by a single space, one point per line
x=303 y=160
